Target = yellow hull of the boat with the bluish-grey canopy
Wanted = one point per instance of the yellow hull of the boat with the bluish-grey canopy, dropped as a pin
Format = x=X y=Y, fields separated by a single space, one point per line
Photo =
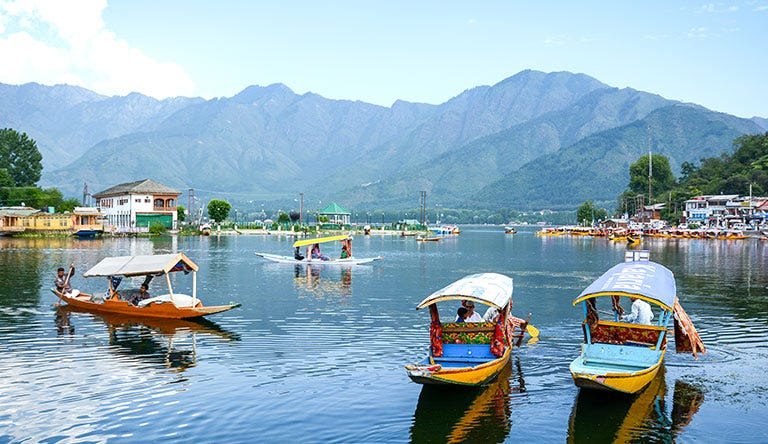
x=629 y=382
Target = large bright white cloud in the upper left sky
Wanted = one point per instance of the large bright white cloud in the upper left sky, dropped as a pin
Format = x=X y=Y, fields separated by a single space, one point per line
x=67 y=42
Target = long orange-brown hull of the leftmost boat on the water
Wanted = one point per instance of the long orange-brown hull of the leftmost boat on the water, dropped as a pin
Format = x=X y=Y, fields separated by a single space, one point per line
x=165 y=310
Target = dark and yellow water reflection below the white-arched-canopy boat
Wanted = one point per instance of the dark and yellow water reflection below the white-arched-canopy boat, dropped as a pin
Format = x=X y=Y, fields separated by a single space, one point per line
x=482 y=414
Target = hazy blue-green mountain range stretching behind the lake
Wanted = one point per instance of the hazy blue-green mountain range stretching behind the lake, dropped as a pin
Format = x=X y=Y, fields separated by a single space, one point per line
x=533 y=140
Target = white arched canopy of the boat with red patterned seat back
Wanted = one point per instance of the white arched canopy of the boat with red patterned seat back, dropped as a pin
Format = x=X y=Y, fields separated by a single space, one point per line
x=486 y=288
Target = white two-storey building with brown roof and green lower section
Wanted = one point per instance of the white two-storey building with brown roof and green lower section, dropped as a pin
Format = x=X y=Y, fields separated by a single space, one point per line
x=134 y=206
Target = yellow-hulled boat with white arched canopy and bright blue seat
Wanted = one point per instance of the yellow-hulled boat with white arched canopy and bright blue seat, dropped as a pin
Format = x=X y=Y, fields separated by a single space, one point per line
x=470 y=353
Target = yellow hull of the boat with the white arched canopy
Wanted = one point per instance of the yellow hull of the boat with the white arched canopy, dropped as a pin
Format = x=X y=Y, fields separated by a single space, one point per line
x=468 y=376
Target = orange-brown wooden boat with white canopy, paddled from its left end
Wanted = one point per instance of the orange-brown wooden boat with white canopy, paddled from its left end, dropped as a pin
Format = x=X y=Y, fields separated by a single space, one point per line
x=170 y=306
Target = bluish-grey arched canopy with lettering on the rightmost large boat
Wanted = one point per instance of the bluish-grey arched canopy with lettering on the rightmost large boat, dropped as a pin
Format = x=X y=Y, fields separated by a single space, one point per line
x=643 y=279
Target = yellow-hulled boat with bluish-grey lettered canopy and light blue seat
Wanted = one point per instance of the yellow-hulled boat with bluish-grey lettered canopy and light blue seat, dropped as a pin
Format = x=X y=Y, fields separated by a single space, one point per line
x=622 y=356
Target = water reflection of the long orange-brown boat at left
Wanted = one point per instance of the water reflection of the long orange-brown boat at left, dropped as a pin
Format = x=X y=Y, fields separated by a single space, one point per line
x=171 y=343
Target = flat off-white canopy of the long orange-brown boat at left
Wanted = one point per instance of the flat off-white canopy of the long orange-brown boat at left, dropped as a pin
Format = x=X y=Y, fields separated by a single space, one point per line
x=142 y=265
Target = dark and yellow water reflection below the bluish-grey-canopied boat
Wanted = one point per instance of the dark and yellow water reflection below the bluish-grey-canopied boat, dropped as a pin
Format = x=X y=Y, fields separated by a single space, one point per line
x=613 y=417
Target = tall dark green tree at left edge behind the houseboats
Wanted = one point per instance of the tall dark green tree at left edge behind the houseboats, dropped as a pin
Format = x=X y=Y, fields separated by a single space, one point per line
x=20 y=158
